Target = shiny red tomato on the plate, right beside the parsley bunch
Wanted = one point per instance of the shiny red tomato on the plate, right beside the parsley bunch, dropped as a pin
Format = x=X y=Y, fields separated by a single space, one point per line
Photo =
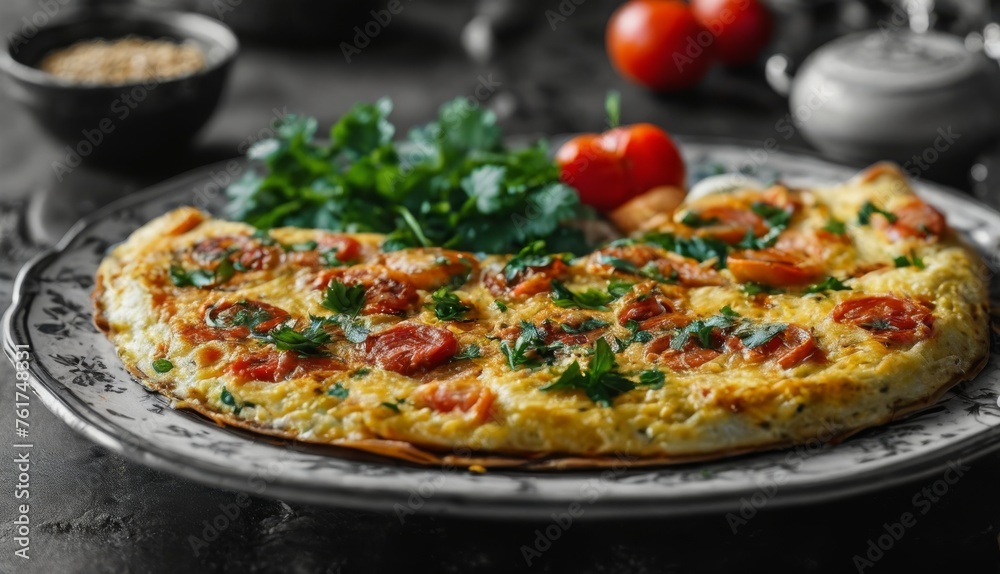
x=611 y=168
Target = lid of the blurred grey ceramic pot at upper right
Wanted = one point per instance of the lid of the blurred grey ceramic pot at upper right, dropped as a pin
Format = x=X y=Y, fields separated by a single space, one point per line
x=899 y=61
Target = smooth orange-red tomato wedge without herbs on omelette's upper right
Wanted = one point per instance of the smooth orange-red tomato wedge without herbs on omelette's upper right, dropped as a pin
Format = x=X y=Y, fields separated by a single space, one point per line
x=773 y=267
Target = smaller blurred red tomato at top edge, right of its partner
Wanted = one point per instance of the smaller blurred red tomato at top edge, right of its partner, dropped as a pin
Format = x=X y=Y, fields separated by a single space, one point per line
x=741 y=27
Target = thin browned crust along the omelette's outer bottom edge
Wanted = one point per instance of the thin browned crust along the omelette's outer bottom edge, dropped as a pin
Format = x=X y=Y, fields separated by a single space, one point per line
x=411 y=453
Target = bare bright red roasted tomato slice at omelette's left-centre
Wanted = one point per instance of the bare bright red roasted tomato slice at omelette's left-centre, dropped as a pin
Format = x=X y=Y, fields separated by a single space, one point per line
x=410 y=348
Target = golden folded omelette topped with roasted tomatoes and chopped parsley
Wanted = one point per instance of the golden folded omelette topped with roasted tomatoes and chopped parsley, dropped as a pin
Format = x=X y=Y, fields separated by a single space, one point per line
x=743 y=320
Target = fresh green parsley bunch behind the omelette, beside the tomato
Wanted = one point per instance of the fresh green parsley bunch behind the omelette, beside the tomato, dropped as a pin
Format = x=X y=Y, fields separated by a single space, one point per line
x=451 y=183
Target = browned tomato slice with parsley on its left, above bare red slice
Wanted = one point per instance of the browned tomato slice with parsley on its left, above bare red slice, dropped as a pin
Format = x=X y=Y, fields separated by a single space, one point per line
x=387 y=292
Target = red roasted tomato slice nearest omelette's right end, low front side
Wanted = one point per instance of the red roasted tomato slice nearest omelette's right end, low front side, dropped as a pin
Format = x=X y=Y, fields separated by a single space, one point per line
x=890 y=319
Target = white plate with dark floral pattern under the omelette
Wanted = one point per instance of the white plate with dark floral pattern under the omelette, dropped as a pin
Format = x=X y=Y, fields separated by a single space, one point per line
x=76 y=373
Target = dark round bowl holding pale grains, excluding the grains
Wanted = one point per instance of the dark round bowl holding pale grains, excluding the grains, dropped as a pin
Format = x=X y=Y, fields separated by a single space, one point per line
x=123 y=122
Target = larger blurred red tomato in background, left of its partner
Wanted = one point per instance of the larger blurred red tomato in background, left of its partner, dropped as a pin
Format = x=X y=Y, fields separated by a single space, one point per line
x=659 y=43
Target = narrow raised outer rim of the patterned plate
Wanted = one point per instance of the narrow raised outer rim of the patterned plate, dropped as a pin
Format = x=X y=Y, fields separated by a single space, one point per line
x=85 y=420
